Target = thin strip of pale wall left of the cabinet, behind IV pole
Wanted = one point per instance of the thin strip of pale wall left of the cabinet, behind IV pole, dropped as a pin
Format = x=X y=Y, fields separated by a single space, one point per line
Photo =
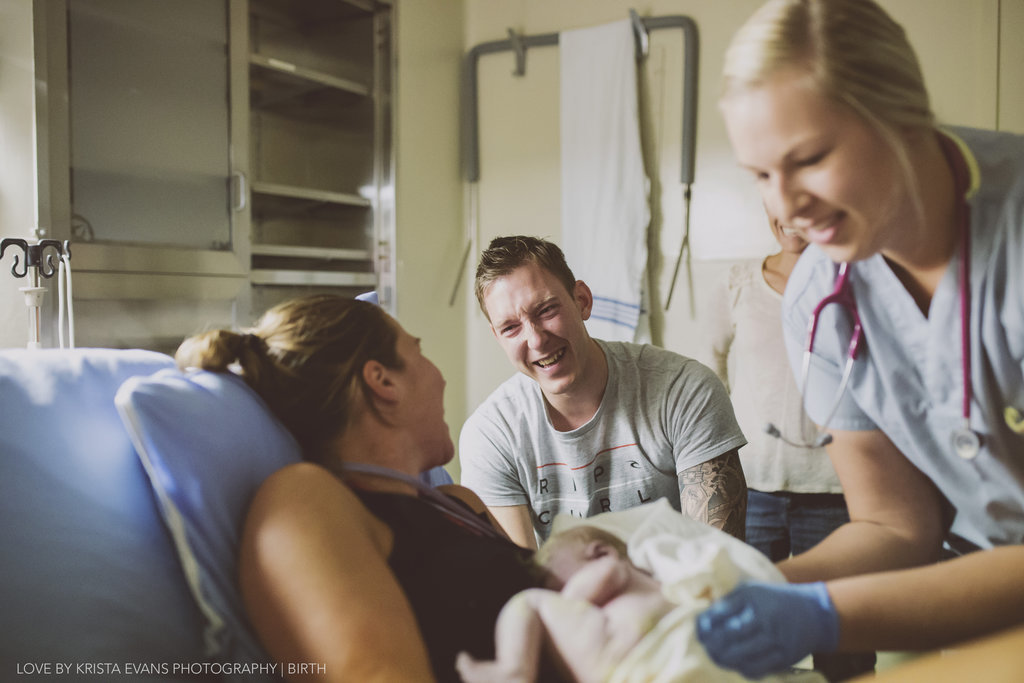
x=17 y=152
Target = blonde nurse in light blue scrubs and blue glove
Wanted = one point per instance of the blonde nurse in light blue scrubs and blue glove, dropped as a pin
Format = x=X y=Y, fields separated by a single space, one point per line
x=825 y=104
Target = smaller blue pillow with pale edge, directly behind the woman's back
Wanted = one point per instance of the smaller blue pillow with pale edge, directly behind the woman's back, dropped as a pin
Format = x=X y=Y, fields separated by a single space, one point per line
x=207 y=442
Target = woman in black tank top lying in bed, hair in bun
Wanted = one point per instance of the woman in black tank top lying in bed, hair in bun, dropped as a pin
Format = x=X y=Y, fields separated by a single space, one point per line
x=363 y=573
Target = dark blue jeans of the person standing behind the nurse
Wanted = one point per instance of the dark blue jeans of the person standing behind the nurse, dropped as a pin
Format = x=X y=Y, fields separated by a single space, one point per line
x=781 y=525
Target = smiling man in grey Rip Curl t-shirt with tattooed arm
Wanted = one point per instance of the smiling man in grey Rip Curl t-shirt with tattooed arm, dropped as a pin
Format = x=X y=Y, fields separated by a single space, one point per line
x=588 y=426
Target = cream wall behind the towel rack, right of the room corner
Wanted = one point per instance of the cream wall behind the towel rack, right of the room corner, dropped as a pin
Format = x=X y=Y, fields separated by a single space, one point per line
x=958 y=42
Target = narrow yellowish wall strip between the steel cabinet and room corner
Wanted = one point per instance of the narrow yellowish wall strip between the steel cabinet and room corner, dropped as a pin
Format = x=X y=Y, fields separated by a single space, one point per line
x=429 y=190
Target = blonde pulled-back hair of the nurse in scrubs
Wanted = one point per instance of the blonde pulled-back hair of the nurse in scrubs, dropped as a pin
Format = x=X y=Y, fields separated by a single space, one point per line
x=851 y=52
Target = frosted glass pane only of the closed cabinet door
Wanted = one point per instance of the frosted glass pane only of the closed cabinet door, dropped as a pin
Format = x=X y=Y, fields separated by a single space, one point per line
x=149 y=117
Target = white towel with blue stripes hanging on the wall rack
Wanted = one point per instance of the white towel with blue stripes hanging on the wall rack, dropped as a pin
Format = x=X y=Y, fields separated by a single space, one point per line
x=606 y=209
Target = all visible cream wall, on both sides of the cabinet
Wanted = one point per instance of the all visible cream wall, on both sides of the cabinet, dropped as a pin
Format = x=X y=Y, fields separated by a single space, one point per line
x=973 y=61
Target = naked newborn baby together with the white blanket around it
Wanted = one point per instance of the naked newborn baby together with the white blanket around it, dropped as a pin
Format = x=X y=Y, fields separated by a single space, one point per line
x=621 y=613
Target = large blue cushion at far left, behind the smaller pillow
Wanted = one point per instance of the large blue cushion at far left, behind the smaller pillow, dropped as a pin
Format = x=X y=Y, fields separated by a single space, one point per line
x=90 y=574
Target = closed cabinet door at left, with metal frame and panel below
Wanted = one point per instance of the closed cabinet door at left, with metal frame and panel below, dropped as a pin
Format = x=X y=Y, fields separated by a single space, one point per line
x=136 y=116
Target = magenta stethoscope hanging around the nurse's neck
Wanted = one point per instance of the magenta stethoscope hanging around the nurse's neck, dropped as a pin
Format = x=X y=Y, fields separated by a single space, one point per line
x=966 y=443
